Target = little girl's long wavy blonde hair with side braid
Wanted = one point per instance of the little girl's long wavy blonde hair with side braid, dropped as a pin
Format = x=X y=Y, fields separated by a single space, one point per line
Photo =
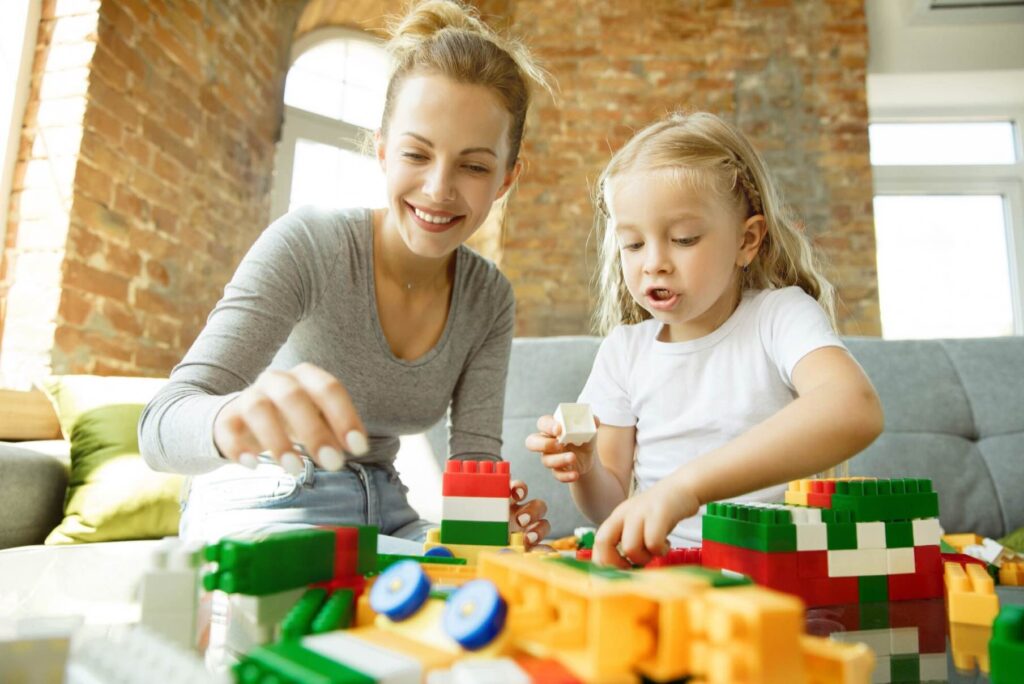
x=711 y=155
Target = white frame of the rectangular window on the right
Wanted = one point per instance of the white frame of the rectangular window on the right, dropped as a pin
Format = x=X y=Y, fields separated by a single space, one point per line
x=1003 y=180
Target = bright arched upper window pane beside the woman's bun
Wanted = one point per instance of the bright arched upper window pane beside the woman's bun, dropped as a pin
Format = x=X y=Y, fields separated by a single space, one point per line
x=340 y=79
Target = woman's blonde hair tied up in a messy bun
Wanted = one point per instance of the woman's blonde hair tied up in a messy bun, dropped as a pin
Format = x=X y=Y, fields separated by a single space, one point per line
x=447 y=37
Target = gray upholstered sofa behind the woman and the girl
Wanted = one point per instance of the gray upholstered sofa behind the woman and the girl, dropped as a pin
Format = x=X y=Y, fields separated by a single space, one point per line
x=955 y=414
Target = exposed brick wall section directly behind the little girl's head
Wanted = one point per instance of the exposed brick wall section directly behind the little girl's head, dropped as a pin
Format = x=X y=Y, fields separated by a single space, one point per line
x=790 y=72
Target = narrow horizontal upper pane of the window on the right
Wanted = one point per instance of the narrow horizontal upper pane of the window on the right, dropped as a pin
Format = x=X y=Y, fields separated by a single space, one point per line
x=952 y=144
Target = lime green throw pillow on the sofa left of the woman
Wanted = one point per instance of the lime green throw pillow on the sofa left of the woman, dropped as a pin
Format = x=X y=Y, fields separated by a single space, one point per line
x=112 y=494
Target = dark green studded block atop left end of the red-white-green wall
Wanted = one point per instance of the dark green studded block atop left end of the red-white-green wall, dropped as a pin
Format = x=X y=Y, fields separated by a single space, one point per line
x=750 y=527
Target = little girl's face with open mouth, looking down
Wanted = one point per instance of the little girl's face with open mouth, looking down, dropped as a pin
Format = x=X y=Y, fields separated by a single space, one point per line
x=681 y=250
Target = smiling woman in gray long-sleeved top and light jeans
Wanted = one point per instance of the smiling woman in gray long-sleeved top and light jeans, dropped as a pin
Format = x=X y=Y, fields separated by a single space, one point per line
x=344 y=330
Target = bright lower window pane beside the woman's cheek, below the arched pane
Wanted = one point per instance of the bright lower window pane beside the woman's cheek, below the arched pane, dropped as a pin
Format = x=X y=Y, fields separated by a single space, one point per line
x=330 y=177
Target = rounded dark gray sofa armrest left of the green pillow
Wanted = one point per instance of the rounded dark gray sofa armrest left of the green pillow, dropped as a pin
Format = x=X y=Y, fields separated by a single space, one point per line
x=32 y=493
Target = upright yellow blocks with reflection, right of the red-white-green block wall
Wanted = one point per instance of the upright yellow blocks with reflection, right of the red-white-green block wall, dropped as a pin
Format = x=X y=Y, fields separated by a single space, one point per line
x=972 y=607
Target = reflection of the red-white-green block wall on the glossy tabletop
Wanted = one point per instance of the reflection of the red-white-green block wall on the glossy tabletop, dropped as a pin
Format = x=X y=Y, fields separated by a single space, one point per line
x=909 y=637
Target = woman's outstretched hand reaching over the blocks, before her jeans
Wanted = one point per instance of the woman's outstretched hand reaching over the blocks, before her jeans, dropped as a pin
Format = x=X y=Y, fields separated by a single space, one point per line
x=307 y=406
